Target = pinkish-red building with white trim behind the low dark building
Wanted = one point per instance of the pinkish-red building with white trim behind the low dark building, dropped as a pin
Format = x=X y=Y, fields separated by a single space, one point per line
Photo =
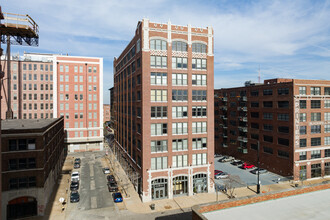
x=50 y=86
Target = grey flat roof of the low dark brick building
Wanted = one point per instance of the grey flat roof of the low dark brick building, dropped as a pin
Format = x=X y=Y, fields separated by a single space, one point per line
x=23 y=124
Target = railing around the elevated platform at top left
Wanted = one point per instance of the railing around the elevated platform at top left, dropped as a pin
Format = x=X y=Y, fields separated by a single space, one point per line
x=18 y=21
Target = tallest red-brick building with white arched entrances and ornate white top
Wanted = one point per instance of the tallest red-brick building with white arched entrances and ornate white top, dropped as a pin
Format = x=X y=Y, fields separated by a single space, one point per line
x=163 y=107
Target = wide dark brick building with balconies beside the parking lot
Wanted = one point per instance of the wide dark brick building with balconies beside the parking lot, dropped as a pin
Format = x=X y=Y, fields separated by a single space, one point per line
x=288 y=118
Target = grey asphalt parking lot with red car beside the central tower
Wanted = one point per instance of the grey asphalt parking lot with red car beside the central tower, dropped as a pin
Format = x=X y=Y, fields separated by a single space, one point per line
x=240 y=177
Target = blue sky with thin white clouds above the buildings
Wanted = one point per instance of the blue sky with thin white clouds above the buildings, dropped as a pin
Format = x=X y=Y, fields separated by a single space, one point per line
x=279 y=39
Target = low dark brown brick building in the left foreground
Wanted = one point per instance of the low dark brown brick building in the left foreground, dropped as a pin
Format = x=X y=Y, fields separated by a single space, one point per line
x=32 y=158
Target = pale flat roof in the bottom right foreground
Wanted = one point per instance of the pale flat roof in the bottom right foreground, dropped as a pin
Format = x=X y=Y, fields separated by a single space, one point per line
x=313 y=205
